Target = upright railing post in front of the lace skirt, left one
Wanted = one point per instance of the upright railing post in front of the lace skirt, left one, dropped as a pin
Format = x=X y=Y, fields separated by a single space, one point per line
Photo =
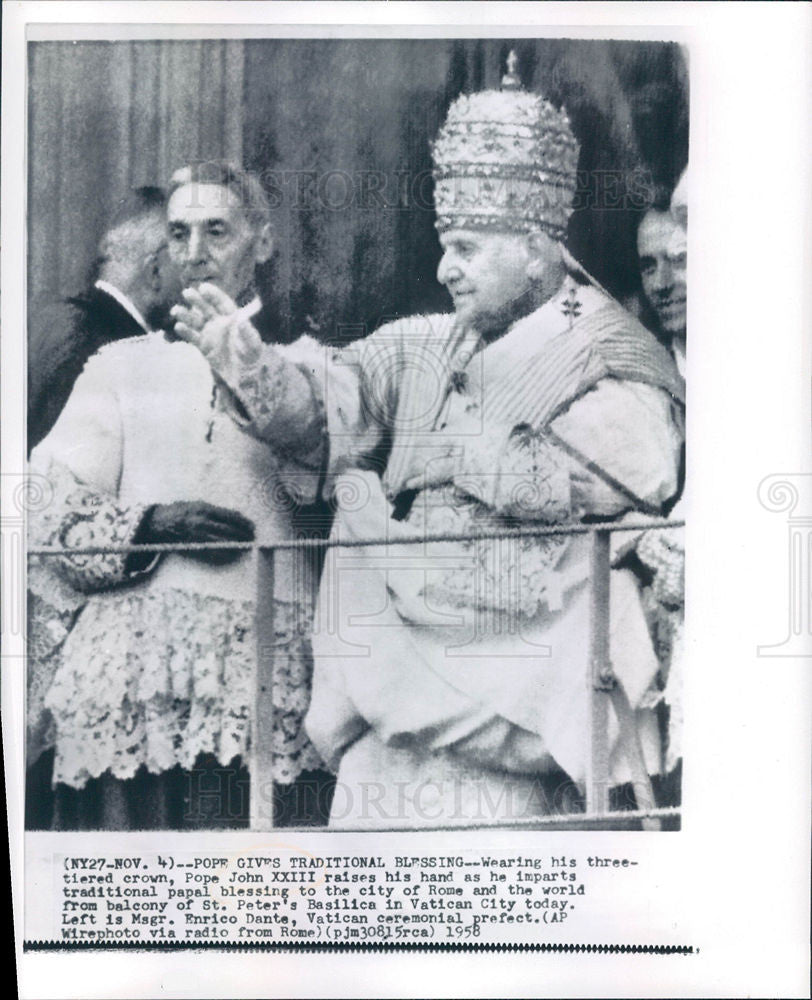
x=262 y=716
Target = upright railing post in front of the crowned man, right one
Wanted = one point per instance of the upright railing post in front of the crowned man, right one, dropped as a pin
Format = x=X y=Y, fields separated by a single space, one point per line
x=598 y=679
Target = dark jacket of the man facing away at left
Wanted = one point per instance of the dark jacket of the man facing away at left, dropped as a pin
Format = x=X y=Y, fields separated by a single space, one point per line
x=61 y=337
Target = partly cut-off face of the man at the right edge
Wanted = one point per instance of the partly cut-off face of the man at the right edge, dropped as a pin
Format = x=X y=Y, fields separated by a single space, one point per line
x=661 y=246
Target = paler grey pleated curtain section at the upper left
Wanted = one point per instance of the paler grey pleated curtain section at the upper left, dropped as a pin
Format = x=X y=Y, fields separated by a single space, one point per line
x=105 y=117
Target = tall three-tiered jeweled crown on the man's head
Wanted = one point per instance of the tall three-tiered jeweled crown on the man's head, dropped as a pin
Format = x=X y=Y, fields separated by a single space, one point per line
x=505 y=160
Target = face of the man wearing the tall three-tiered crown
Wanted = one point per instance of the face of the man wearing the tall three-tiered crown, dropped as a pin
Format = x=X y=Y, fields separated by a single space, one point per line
x=486 y=274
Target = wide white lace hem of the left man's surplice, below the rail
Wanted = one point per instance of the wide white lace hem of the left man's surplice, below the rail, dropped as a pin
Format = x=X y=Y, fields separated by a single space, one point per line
x=155 y=678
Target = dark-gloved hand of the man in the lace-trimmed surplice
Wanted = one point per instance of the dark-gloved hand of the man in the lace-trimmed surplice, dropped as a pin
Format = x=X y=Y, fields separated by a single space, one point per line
x=196 y=521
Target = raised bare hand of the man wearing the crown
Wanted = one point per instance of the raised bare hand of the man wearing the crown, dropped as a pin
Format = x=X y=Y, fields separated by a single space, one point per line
x=212 y=322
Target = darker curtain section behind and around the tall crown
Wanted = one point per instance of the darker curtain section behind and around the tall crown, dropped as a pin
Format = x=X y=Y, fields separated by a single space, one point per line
x=341 y=131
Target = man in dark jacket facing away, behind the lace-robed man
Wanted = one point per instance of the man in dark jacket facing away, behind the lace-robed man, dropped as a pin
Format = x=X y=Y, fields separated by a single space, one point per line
x=134 y=285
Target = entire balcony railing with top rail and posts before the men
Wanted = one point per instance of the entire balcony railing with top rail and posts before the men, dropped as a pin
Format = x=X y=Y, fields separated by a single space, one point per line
x=604 y=689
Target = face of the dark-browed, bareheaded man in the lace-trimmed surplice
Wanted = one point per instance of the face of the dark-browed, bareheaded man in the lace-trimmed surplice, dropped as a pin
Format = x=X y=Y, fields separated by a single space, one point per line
x=211 y=238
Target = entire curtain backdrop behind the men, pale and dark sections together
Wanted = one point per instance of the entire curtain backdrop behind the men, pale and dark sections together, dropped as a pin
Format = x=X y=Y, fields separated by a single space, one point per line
x=340 y=132
